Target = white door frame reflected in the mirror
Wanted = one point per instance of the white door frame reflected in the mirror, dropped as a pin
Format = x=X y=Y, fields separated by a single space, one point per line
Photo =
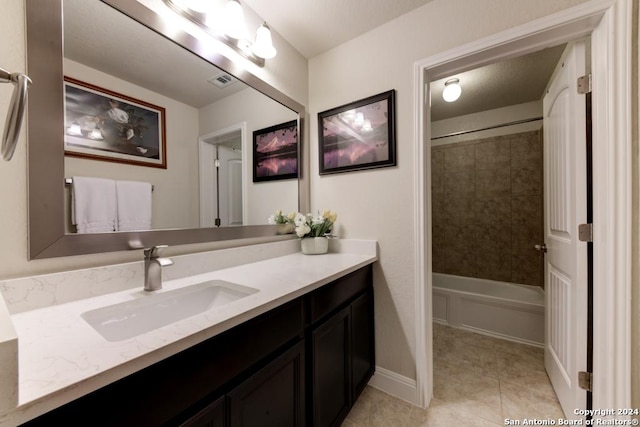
x=205 y=152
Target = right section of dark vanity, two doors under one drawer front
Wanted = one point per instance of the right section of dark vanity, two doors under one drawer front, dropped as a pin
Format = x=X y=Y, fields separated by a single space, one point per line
x=342 y=354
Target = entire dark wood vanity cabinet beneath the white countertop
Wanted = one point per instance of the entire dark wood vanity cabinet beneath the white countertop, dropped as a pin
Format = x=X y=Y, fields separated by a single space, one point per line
x=303 y=363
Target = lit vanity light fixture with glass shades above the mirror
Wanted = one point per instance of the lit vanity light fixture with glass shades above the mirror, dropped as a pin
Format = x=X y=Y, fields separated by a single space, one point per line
x=233 y=31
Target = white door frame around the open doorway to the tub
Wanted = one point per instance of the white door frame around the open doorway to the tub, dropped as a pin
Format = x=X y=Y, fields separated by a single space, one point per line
x=608 y=22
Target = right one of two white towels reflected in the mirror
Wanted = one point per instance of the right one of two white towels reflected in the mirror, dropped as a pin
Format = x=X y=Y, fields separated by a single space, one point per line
x=134 y=205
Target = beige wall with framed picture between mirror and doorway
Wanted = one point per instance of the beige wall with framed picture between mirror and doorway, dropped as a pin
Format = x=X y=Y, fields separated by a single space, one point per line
x=379 y=204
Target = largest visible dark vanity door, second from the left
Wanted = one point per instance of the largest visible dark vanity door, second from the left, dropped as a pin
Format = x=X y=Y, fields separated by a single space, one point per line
x=272 y=397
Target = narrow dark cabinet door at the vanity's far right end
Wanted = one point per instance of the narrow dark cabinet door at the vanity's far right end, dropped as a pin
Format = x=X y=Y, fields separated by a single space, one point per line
x=362 y=342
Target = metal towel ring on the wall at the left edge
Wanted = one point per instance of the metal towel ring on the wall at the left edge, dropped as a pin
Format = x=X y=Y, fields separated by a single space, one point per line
x=15 y=114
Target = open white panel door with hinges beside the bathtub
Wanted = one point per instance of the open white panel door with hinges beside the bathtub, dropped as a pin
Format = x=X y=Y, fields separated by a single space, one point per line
x=565 y=208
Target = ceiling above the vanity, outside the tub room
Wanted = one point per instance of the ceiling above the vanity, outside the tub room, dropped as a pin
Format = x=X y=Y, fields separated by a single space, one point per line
x=316 y=26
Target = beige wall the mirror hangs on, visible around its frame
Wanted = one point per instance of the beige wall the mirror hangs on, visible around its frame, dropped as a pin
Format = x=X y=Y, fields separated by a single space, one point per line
x=287 y=72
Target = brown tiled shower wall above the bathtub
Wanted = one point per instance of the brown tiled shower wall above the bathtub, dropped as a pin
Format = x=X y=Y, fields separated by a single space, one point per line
x=487 y=208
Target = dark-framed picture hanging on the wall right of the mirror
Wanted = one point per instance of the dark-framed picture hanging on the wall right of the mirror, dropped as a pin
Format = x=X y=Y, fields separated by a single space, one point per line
x=358 y=136
